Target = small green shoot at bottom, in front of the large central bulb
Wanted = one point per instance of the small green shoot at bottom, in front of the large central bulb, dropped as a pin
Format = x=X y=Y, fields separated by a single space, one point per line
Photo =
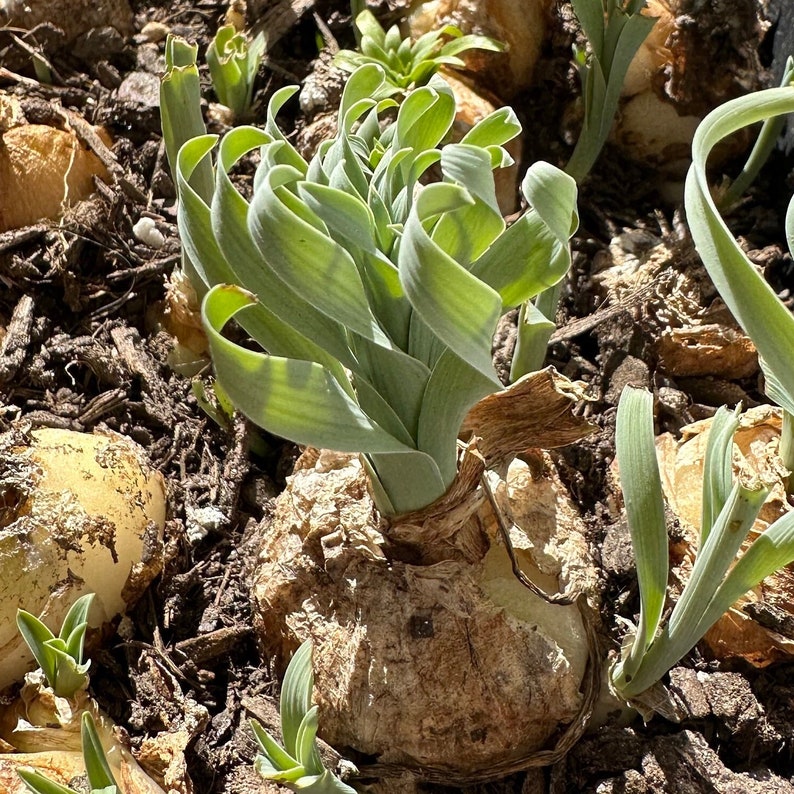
x=297 y=764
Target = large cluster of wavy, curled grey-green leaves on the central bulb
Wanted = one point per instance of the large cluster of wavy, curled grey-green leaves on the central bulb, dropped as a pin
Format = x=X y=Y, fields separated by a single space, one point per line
x=373 y=297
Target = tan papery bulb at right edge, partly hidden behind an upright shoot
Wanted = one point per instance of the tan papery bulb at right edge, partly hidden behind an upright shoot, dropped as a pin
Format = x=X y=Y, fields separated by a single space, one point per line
x=737 y=634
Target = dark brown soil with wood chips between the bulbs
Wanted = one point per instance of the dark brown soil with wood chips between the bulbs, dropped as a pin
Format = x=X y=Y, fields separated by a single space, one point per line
x=83 y=350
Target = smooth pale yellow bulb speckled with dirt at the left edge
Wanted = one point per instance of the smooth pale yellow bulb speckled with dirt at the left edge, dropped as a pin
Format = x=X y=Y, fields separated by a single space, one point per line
x=82 y=513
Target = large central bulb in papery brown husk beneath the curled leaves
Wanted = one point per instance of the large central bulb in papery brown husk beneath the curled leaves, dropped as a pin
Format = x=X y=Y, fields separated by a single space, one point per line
x=429 y=655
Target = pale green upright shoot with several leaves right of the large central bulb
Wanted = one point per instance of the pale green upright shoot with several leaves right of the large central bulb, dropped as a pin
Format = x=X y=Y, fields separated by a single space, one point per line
x=718 y=580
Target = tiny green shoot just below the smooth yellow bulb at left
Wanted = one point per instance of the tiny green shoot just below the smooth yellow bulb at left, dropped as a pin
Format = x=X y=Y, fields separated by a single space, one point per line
x=61 y=657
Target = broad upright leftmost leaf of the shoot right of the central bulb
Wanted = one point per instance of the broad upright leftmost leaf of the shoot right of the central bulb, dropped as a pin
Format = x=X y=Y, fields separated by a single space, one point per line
x=642 y=493
